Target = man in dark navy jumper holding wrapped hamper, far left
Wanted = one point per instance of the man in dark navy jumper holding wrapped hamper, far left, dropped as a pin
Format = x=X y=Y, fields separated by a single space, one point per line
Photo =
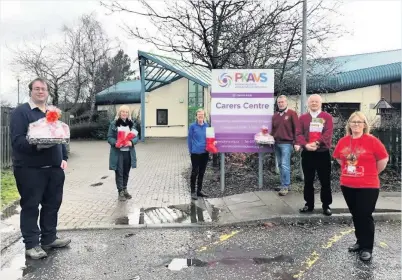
x=39 y=174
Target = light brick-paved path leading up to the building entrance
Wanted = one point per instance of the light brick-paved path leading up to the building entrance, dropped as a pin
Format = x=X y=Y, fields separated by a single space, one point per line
x=90 y=195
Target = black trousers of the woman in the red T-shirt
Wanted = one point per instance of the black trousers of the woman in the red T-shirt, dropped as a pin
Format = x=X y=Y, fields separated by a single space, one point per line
x=361 y=204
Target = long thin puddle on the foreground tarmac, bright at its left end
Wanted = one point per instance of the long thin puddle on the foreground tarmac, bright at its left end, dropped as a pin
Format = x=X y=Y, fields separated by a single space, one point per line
x=178 y=264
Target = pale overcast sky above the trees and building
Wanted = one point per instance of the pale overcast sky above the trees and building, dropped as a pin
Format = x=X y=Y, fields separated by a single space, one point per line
x=374 y=26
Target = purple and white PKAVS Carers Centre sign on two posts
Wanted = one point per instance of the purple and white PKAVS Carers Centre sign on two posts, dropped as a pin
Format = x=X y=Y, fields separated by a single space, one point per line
x=242 y=101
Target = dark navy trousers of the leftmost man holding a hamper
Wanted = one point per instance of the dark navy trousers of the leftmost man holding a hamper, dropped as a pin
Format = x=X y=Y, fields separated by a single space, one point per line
x=42 y=186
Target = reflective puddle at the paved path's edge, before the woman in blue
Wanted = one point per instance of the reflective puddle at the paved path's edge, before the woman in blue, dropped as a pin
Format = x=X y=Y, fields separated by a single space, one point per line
x=184 y=213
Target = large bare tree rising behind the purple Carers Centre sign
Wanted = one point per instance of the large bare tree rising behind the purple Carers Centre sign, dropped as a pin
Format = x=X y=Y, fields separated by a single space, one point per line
x=235 y=33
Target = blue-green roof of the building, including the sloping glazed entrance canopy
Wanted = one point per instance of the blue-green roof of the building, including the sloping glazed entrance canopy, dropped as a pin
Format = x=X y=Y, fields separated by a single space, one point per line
x=349 y=72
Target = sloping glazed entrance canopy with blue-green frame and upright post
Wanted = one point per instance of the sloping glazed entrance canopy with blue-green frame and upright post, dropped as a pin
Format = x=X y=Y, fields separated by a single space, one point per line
x=157 y=71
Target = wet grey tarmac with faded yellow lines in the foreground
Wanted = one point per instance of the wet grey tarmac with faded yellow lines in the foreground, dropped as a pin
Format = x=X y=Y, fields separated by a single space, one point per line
x=264 y=252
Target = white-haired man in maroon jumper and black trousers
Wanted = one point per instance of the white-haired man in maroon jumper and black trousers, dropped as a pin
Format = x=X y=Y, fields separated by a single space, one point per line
x=315 y=155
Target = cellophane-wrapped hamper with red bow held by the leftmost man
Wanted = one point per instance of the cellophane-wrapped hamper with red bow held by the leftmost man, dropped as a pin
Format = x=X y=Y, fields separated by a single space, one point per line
x=49 y=130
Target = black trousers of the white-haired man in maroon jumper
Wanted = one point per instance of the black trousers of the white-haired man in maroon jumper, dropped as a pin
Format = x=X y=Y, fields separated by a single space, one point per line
x=320 y=163
